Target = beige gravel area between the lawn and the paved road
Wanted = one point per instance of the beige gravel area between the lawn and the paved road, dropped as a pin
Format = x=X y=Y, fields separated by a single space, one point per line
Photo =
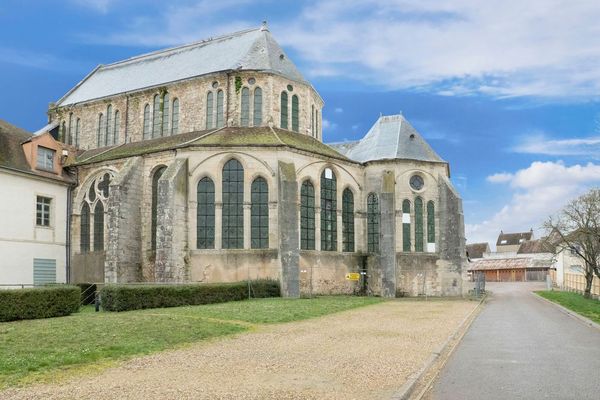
x=366 y=353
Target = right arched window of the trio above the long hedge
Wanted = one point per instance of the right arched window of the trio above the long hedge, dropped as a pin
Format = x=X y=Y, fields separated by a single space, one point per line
x=259 y=212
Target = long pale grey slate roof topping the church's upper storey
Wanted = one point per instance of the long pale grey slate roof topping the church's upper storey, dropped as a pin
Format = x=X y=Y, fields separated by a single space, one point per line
x=252 y=49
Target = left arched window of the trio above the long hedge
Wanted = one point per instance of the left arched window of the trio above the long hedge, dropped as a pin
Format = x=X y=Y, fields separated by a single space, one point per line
x=205 y=222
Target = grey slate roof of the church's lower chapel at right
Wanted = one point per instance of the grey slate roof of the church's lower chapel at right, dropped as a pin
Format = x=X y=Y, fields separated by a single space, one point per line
x=391 y=137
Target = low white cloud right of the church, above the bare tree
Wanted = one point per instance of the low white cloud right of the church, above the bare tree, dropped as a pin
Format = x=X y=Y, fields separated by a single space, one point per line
x=536 y=192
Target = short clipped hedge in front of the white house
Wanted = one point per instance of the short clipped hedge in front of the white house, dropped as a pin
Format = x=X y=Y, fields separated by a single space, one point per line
x=43 y=302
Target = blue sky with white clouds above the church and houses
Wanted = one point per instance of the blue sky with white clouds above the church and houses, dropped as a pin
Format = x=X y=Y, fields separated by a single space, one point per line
x=506 y=91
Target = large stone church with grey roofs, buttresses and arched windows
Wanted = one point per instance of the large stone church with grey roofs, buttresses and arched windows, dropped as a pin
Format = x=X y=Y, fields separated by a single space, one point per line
x=206 y=163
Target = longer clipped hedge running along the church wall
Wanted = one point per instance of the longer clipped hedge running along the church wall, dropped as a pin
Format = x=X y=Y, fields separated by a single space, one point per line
x=134 y=297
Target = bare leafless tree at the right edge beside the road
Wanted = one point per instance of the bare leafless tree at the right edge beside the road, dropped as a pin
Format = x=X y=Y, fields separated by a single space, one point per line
x=577 y=228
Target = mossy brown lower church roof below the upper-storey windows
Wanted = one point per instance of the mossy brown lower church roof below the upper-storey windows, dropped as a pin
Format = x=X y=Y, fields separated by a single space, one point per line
x=224 y=137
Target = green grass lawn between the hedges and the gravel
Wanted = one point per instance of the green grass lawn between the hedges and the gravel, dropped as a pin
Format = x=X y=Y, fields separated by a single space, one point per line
x=42 y=349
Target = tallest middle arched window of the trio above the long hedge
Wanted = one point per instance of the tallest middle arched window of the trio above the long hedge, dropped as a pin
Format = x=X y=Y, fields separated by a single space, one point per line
x=233 y=205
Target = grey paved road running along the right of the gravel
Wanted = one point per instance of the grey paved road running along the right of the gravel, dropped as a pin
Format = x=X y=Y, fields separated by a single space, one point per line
x=522 y=348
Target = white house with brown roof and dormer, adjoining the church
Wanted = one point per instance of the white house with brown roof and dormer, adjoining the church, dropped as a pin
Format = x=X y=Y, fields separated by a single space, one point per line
x=33 y=232
